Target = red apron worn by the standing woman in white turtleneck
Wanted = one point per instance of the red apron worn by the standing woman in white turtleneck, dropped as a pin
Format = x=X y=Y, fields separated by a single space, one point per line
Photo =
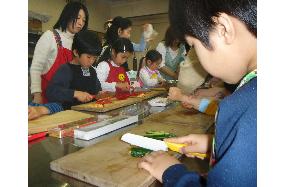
x=63 y=56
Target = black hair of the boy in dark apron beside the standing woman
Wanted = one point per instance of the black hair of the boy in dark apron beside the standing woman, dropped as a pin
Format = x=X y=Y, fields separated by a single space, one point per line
x=87 y=42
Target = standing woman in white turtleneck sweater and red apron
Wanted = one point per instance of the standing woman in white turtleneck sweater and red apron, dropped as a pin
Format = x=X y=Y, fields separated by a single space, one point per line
x=54 y=48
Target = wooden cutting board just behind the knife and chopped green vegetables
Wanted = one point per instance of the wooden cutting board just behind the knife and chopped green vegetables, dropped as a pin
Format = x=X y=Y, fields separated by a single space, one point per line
x=183 y=116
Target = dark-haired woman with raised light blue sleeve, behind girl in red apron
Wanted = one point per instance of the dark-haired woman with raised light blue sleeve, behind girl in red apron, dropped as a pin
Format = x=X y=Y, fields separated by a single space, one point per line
x=120 y=28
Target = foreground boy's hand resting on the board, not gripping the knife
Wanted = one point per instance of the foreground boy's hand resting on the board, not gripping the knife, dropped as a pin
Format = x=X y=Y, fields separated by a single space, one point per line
x=156 y=163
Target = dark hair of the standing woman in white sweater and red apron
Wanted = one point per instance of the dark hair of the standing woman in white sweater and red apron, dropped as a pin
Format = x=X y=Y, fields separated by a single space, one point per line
x=70 y=13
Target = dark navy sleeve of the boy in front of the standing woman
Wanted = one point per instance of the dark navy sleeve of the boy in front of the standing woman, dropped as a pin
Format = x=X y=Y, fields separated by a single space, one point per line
x=59 y=88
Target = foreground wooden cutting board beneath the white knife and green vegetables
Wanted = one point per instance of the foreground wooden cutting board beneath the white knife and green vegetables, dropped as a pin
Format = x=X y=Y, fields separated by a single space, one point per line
x=108 y=163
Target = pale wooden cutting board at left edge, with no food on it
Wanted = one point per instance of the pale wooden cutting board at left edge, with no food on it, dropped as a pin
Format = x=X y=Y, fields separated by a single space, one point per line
x=50 y=121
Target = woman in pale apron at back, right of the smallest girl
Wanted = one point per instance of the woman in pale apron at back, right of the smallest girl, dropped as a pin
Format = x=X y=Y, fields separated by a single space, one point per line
x=173 y=53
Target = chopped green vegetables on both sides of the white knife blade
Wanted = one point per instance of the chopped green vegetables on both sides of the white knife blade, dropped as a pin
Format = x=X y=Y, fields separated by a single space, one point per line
x=158 y=135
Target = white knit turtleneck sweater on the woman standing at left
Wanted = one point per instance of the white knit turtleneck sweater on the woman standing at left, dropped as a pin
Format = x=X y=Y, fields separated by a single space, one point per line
x=45 y=54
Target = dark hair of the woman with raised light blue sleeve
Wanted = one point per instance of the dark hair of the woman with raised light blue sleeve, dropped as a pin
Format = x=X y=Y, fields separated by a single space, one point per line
x=112 y=32
